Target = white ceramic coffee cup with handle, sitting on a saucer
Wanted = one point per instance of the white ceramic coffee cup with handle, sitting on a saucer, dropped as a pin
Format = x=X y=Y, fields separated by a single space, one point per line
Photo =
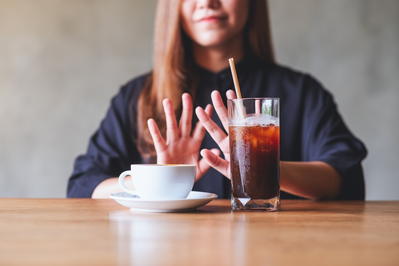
x=160 y=181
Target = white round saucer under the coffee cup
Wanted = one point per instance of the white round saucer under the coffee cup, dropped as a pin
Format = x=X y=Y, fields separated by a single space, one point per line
x=194 y=200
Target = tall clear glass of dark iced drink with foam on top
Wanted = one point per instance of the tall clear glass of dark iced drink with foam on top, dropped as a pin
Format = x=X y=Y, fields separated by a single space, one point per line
x=254 y=133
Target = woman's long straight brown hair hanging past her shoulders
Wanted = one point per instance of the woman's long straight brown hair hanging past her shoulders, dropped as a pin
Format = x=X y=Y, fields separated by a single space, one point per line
x=171 y=75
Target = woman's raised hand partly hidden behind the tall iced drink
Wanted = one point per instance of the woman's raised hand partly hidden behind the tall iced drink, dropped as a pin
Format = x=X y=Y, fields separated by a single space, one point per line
x=218 y=135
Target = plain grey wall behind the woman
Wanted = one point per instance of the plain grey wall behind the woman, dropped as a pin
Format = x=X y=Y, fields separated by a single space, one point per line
x=62 y=61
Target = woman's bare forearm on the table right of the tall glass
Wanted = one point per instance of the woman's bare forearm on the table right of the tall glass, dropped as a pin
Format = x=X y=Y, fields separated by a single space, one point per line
x=312 y=180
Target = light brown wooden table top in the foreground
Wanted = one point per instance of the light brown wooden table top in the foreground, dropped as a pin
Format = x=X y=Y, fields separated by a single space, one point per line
x=102 y=232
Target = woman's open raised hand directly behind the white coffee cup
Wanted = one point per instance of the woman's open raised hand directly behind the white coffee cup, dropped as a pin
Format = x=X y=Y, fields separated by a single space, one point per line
x=181 y=145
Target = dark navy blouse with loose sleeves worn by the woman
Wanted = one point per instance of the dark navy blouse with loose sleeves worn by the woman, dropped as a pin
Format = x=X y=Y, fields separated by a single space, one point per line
x=311 y=129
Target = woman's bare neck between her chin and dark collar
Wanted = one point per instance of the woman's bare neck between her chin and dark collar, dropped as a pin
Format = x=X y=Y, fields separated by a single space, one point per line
x=216 y=58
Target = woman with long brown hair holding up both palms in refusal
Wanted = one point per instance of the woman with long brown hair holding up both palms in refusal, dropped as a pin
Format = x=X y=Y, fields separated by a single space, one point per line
x=320 y=158
